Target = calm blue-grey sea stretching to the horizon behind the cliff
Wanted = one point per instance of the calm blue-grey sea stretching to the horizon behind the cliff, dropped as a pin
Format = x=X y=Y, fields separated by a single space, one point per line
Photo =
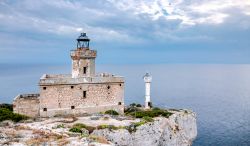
x=219 y=94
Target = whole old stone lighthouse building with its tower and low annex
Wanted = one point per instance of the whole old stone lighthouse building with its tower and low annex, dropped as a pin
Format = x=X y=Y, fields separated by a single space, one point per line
x=82 y=91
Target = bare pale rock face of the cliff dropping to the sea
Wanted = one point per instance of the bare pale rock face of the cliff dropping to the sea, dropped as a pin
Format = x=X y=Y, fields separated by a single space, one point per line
x=178 y=130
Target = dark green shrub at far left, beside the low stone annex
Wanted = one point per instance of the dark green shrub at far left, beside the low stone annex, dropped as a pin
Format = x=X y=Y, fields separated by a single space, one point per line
x=6 y=114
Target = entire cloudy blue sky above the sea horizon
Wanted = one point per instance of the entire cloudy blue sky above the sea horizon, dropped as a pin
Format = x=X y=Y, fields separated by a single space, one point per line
x=126 y=31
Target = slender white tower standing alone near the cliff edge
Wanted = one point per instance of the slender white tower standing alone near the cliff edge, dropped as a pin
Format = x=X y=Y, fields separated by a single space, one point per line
x=147 y=79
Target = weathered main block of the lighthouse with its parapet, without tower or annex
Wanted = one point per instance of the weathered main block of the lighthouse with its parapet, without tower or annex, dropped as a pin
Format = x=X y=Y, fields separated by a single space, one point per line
x=80 y=95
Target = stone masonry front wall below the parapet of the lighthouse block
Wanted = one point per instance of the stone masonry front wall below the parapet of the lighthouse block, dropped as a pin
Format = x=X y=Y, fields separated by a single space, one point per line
x=69 y=99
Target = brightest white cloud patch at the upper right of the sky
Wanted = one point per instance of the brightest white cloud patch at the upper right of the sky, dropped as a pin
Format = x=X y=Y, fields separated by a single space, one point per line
x=189 y=13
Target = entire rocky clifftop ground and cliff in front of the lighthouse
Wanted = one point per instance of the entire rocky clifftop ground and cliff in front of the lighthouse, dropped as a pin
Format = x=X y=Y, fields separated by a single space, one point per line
x=179 y=129
